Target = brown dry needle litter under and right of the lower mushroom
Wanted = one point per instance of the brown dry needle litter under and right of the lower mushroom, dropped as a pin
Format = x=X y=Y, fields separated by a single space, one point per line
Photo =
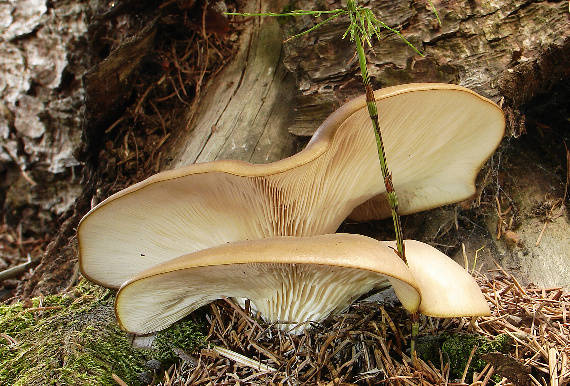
x=526 y=340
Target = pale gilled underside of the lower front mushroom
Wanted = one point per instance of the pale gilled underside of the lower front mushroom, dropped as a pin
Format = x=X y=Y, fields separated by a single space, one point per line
x=288 y=295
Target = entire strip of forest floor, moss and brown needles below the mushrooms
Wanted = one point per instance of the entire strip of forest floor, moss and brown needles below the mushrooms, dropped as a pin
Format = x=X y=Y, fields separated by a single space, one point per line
x=526 y=341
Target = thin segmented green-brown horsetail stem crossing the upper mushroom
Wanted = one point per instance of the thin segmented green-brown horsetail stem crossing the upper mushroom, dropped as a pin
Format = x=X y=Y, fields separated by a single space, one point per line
x=373 y=112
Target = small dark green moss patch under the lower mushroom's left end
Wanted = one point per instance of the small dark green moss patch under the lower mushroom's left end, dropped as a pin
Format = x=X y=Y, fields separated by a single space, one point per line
x=186 y=334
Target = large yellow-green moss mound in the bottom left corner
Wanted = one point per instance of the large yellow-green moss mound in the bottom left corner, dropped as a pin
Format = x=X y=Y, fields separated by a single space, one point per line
x=77 y=342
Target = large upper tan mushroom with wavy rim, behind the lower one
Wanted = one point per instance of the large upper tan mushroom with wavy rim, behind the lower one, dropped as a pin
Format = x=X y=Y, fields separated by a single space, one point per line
x=436 y=138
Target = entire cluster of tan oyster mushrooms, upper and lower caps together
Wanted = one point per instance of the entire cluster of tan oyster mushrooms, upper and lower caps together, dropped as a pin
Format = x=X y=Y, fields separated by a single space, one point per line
x=186 y=237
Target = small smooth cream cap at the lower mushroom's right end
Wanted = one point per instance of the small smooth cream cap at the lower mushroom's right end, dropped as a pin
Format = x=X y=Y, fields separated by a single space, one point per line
x=446 y=288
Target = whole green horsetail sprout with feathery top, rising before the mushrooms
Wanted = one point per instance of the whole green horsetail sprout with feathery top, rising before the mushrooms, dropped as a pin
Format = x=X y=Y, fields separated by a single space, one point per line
x=364 y=25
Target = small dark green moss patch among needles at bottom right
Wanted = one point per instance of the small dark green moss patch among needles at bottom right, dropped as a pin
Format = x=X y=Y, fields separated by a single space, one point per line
x=456 y=348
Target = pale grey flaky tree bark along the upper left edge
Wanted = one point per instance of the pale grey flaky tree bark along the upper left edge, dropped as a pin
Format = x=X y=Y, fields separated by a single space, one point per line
x=42 y=60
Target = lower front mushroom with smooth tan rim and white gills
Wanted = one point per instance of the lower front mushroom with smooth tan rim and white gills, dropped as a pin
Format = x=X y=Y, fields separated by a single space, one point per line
x=287 y=279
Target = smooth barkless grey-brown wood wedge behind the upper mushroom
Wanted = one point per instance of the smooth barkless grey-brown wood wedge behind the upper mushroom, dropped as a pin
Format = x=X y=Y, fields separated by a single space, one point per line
x=247 y=108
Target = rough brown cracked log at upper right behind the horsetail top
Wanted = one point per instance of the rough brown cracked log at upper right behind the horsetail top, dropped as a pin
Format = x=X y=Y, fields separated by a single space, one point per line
x=508 y=51
